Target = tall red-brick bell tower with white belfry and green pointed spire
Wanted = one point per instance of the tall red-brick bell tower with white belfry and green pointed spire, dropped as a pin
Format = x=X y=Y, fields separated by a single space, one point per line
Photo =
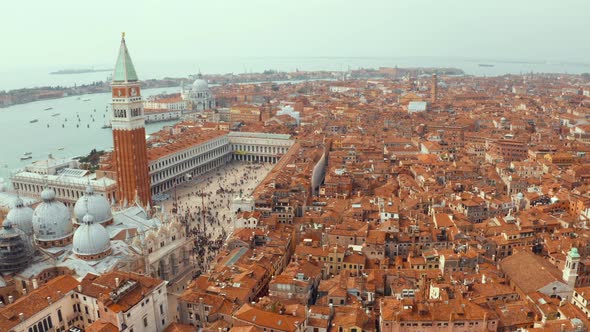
x=128 y=122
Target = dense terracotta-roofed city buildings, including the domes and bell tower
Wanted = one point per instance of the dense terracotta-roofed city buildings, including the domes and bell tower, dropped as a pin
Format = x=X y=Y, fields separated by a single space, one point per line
x=412 y=203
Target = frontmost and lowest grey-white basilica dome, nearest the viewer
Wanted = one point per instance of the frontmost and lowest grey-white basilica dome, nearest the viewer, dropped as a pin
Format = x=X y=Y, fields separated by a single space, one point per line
x=91 y=238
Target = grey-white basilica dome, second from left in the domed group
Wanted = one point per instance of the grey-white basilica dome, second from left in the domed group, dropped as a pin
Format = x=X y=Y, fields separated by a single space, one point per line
x=51 y=218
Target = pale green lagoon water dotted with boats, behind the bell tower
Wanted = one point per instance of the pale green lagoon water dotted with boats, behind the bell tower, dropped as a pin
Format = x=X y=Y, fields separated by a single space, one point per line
x=76 y=137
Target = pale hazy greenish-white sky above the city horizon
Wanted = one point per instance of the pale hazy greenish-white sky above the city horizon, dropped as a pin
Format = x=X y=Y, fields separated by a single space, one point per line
x=72 y=32
